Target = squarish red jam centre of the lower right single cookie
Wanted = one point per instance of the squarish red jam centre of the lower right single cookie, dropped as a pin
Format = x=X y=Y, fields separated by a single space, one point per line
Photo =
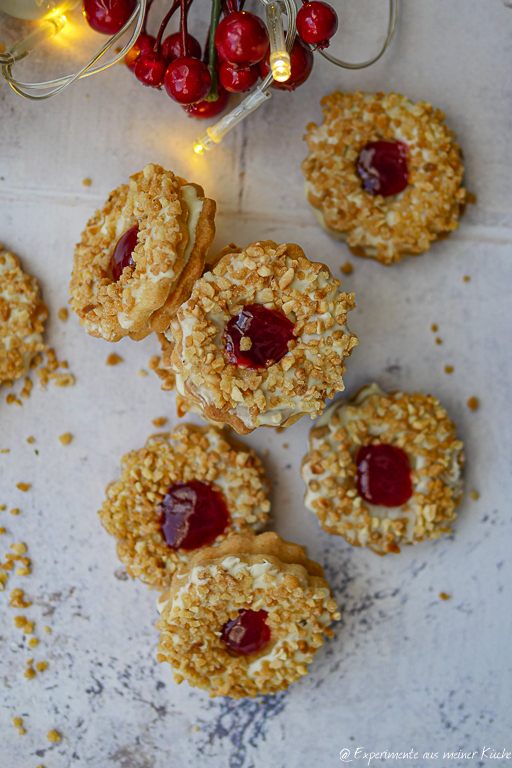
x=383 y=475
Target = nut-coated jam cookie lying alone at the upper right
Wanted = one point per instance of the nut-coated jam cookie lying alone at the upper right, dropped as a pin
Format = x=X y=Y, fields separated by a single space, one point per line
x=348 y=153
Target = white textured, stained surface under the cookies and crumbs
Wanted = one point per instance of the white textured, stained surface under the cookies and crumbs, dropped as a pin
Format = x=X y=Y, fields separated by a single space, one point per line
x=405 y=670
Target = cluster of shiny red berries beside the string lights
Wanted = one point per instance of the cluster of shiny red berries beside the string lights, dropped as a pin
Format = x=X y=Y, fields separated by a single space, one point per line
x=239 y=56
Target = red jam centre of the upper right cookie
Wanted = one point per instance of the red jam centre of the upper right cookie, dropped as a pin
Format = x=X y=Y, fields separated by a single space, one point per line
x=382 y=167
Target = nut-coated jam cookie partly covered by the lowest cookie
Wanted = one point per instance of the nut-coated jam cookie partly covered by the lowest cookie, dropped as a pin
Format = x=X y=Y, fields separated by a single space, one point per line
x=180 y=492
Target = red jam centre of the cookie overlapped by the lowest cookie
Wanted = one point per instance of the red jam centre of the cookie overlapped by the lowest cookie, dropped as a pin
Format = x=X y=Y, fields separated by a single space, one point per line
x=193 y=515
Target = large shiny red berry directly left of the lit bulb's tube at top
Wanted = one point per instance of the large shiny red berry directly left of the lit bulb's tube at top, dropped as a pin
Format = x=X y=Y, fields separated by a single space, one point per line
x=241 y=38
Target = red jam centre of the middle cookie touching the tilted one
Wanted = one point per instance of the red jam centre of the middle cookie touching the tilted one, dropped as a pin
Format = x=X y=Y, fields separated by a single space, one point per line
x=257 y=337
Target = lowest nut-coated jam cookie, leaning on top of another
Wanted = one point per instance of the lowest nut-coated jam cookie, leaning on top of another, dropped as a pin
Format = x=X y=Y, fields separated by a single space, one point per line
x=245 y=618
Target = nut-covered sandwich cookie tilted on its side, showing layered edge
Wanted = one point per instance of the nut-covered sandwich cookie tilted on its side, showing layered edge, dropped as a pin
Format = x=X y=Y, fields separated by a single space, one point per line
x=170 y=226
